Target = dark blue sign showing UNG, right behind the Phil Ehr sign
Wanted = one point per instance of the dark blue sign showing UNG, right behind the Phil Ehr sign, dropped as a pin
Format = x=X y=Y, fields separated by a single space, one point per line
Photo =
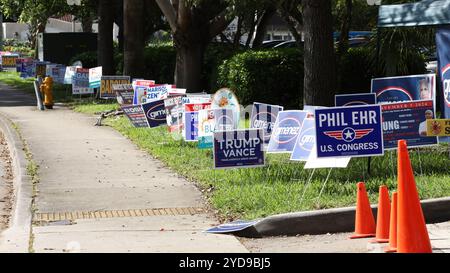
x=408 y=121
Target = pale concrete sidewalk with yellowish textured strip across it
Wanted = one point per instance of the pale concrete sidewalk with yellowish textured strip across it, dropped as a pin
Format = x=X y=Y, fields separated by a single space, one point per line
x=99 y=193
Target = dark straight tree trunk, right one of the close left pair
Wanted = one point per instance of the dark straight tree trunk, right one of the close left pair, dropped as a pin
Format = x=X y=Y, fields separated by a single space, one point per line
x=134 y=38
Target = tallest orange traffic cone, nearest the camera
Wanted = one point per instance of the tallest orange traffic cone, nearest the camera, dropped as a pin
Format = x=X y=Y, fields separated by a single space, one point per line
x=412 y=233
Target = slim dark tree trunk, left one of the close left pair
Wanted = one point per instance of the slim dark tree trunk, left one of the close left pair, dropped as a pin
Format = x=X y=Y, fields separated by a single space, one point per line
x=105 y=37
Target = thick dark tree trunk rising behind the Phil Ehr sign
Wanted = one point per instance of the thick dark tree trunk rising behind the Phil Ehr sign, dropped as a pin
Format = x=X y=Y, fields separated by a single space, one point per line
x=319 y=57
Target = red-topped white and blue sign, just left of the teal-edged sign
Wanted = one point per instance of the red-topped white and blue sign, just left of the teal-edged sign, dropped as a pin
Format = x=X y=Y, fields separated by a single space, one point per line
x=190 y=119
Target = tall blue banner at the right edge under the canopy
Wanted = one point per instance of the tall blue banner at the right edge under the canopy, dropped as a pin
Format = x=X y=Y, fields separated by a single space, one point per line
x=443 y=52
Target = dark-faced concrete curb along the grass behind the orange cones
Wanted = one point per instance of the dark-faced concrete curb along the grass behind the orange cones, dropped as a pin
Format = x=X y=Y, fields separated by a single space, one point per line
x=332 y=220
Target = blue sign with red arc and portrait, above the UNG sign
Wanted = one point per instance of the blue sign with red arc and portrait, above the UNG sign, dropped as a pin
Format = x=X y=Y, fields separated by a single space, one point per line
x=406 y=88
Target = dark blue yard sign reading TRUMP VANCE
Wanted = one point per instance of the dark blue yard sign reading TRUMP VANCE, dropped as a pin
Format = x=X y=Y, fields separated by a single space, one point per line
x=239 y=149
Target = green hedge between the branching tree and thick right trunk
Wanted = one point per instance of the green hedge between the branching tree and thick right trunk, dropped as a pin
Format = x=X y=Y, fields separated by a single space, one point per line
x=268 y=76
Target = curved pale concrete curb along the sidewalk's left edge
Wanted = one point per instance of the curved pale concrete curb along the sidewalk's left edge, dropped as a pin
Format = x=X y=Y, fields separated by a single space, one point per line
x=16 y=238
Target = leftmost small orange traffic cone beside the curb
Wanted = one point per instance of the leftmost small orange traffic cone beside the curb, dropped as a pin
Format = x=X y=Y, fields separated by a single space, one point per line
x=364 y=220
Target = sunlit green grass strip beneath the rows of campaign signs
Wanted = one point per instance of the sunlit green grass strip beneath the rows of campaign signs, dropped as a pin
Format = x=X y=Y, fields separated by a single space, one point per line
x=278 y=187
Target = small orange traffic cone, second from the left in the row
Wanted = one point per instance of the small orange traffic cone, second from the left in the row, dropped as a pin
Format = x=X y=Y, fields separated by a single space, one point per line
x=382 y=234
